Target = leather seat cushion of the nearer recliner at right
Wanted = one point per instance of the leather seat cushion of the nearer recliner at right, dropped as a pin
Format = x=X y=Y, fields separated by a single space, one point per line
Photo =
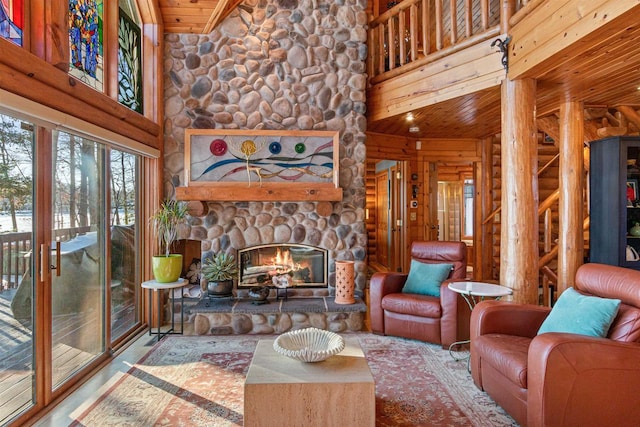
x=505 y=353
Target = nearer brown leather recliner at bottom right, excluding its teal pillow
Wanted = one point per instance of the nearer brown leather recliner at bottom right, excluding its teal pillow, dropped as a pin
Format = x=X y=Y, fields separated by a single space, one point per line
x=559 y=379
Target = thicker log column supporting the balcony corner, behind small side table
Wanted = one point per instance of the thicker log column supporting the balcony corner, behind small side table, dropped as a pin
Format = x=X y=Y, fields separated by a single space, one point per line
x=519 y=222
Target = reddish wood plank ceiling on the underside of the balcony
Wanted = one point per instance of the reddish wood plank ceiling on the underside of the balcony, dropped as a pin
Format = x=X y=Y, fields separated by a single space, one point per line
x=605 y=75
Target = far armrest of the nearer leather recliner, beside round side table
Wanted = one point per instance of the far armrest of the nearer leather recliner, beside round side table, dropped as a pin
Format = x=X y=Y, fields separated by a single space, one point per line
x=502 y=317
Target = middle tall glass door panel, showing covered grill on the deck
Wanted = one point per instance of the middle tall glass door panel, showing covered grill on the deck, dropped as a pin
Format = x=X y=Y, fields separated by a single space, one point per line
x=77 y=254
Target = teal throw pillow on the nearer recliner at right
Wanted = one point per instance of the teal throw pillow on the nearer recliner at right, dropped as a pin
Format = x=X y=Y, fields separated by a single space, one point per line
x=580 y=314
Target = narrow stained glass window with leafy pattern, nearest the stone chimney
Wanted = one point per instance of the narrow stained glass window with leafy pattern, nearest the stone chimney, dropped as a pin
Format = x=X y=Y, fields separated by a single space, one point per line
x=129 y=59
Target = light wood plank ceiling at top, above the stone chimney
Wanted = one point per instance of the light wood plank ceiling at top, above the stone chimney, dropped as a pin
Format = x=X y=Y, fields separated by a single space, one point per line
x=194 y=16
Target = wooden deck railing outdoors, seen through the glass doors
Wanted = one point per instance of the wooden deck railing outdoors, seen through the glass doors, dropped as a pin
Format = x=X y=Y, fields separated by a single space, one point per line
x=15 y=250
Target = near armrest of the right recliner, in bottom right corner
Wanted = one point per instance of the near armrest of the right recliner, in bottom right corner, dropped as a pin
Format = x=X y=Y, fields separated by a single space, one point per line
x=579 y=380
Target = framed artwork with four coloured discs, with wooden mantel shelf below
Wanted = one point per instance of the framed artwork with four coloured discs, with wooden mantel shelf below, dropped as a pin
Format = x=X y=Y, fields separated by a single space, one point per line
x=260 y=165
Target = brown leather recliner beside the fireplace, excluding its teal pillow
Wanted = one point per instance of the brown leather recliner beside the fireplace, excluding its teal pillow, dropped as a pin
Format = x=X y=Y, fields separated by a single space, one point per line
x=441 y=320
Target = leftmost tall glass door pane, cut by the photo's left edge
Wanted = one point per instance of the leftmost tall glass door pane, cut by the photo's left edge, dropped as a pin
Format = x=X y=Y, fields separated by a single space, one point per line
x=16 y=285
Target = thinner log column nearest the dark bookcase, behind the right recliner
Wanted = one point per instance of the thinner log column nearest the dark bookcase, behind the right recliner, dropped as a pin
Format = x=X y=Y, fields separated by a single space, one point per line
x=571 y=241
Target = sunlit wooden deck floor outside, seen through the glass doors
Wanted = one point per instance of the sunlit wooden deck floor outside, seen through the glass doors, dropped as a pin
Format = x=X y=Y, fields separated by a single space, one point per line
x=16 y=352
